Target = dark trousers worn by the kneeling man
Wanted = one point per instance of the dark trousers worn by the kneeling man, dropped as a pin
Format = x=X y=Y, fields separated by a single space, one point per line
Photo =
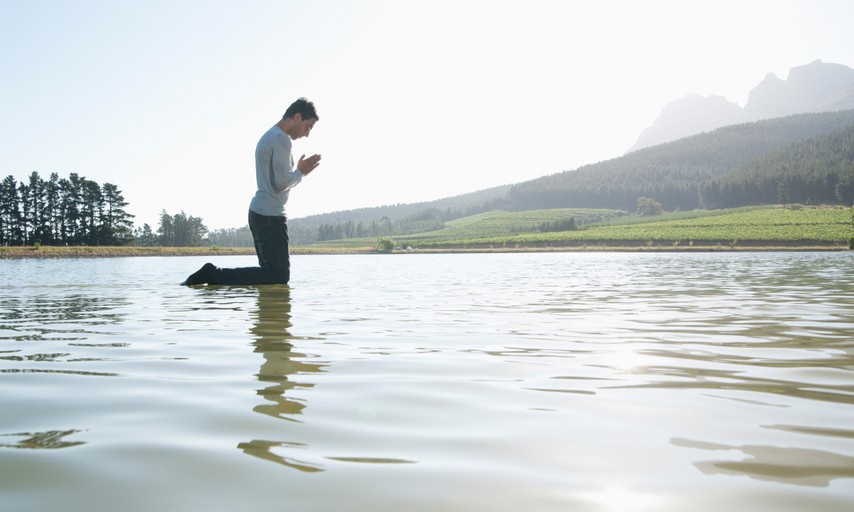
x=271 y=245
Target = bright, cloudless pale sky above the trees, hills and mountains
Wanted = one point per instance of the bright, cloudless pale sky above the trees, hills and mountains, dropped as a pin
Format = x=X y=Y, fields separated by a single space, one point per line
x=418 y=99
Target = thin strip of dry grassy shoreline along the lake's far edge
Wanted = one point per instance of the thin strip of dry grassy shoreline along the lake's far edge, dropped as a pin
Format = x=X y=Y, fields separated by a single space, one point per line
x=45 y=252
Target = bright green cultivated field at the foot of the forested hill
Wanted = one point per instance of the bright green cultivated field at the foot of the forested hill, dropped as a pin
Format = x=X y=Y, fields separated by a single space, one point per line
x=751 y=227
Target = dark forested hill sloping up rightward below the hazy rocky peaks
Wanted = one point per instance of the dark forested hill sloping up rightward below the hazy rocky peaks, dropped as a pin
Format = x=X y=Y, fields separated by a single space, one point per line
x=712 y=170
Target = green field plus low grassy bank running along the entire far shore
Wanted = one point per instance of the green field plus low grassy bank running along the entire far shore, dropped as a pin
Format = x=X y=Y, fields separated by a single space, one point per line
x=751 y=228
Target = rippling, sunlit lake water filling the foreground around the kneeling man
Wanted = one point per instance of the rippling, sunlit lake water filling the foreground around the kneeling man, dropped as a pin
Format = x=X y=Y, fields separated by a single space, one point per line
x=499 y=382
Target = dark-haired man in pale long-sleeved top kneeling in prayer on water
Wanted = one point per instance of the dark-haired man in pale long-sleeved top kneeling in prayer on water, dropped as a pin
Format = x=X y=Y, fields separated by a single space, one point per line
x=275 y=176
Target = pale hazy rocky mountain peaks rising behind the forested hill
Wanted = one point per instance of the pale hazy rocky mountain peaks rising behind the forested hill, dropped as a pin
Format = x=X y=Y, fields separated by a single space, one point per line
x=814 y=87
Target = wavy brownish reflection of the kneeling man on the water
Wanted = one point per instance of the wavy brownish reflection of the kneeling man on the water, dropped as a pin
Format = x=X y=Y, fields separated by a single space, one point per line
x=271 y=321
